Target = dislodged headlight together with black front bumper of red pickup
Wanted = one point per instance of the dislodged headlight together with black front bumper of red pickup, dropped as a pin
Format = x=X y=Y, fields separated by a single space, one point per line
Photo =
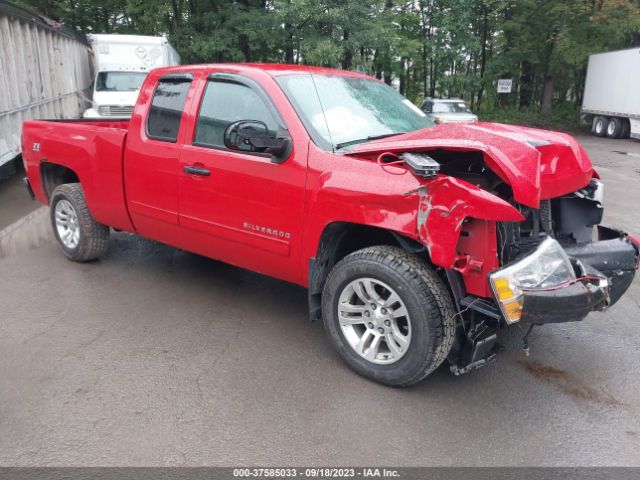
x=557 y=284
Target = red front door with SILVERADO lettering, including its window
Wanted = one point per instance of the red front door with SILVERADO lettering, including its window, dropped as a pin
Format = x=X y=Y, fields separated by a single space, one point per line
x=243 y=208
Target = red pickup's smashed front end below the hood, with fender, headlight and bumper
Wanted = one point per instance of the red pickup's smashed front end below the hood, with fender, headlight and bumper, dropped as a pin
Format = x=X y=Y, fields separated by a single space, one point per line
x=509 y=263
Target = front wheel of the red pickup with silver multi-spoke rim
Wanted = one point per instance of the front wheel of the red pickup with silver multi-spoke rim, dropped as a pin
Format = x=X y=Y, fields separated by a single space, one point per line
x=389 y=315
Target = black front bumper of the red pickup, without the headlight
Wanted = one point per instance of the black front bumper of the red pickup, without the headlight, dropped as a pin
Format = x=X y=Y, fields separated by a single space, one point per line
x=606 y=268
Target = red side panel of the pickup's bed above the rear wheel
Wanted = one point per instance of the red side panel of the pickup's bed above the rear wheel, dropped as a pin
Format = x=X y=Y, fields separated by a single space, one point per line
x=93 y=149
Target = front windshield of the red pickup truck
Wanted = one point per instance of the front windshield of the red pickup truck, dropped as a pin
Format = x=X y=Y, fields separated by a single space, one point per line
x=350 y=110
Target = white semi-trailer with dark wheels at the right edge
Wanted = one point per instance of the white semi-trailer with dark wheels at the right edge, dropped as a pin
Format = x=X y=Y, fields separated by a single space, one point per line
x=612 y=93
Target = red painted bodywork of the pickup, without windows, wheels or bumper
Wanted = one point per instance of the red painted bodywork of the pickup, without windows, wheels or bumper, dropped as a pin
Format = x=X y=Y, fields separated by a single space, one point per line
x=269 y=217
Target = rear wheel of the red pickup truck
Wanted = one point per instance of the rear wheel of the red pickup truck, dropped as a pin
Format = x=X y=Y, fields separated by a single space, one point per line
x=81 y=238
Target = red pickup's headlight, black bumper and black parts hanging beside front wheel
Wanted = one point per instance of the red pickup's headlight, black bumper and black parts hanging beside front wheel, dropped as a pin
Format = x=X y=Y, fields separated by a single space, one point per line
x=555 y=284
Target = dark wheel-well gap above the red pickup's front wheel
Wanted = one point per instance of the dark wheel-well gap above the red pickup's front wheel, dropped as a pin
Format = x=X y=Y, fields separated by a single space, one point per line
x=339 y=239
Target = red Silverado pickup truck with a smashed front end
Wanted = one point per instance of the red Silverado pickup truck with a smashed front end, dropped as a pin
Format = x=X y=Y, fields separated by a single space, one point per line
x=416 y=241
